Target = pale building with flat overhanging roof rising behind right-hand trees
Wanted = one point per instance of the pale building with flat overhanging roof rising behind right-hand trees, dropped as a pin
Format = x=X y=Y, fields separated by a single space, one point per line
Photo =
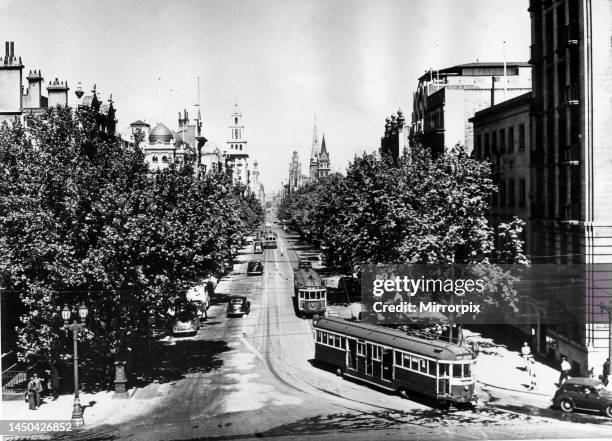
x=445 y=100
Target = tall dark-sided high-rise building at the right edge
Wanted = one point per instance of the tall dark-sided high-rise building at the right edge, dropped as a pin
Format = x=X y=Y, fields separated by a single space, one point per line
x=571 y=211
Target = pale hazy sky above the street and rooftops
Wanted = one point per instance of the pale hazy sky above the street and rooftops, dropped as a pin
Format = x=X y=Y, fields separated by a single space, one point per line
x=350 y=62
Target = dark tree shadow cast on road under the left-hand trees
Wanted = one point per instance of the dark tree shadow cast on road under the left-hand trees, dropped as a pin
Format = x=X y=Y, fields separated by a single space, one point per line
x=171 y=363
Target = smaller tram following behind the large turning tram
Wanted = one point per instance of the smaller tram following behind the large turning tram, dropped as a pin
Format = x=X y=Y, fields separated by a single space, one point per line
x=310 y=292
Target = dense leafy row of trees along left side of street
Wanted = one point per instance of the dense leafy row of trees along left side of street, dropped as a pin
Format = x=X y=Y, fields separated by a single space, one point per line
x=83 y=219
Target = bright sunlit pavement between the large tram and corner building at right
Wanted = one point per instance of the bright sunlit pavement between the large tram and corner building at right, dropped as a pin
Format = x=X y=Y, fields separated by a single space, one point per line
x=501 y=368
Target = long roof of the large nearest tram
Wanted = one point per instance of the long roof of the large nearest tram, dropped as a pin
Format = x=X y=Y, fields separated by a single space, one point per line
x=396 y=339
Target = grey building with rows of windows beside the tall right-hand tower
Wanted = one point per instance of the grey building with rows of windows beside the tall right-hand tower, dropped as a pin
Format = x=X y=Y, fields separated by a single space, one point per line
x=501 y=136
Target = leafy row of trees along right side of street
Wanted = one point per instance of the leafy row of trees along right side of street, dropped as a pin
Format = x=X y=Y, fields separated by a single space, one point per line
x=417 y=209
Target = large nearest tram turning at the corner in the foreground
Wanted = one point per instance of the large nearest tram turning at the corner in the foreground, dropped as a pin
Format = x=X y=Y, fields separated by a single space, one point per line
x=395 y=361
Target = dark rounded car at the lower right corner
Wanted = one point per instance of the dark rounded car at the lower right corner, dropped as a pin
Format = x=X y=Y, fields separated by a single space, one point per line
x=584 y=394
